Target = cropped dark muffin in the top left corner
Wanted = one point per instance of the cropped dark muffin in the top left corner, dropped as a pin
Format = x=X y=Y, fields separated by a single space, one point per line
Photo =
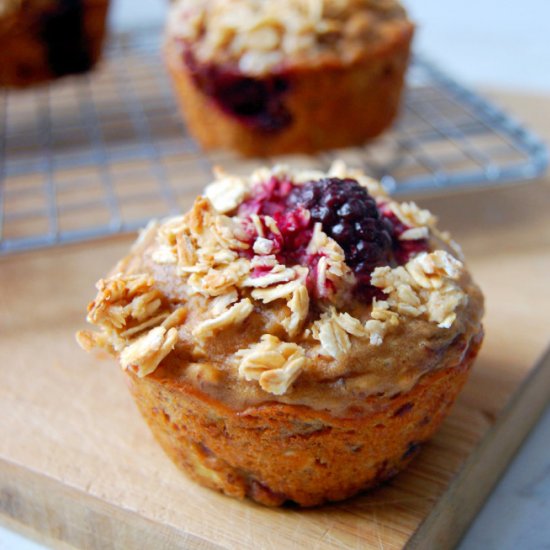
x=41 y=40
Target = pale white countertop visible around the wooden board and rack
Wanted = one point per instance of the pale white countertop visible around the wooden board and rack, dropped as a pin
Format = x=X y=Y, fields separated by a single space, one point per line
x=507 y=46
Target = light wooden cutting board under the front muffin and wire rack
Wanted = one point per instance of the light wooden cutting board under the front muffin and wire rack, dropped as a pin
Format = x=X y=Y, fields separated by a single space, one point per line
x=78 y=466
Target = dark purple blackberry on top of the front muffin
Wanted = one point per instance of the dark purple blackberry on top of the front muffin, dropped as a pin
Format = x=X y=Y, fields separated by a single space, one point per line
x=350 y=216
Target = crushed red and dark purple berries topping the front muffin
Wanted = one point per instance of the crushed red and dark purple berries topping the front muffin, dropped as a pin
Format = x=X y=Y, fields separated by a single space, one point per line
x=368 y=233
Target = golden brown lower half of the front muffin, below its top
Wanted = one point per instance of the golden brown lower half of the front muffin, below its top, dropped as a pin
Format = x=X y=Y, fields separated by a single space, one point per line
x=275 y=452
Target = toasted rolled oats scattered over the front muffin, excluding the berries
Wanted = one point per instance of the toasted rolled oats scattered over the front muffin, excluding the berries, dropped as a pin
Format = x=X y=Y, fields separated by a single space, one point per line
x=229 y=261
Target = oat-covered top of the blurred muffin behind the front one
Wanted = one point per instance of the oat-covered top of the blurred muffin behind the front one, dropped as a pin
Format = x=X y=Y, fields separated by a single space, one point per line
x=259 y=36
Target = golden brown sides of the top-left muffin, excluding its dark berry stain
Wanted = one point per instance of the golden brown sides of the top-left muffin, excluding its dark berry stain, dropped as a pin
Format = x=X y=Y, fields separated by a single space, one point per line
x=24 y=53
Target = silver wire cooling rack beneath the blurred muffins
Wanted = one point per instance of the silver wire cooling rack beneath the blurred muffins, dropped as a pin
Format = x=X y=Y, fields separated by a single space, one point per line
x=102 y=153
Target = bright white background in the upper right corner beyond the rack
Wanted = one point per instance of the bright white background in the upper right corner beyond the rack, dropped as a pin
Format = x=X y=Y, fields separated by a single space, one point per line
x=495 y=43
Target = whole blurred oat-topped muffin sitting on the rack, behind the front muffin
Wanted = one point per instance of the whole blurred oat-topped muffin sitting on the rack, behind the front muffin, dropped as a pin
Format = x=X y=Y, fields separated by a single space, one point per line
x=266 y=78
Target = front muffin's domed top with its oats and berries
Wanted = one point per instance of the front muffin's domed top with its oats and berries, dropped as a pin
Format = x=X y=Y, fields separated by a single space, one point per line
x=290 y=286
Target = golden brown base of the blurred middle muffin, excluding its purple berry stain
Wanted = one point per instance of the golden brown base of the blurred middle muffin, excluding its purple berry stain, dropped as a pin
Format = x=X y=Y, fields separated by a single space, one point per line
x=332 y=106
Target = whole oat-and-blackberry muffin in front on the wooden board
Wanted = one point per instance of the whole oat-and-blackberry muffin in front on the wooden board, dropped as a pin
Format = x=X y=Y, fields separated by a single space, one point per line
x=295 y=336
